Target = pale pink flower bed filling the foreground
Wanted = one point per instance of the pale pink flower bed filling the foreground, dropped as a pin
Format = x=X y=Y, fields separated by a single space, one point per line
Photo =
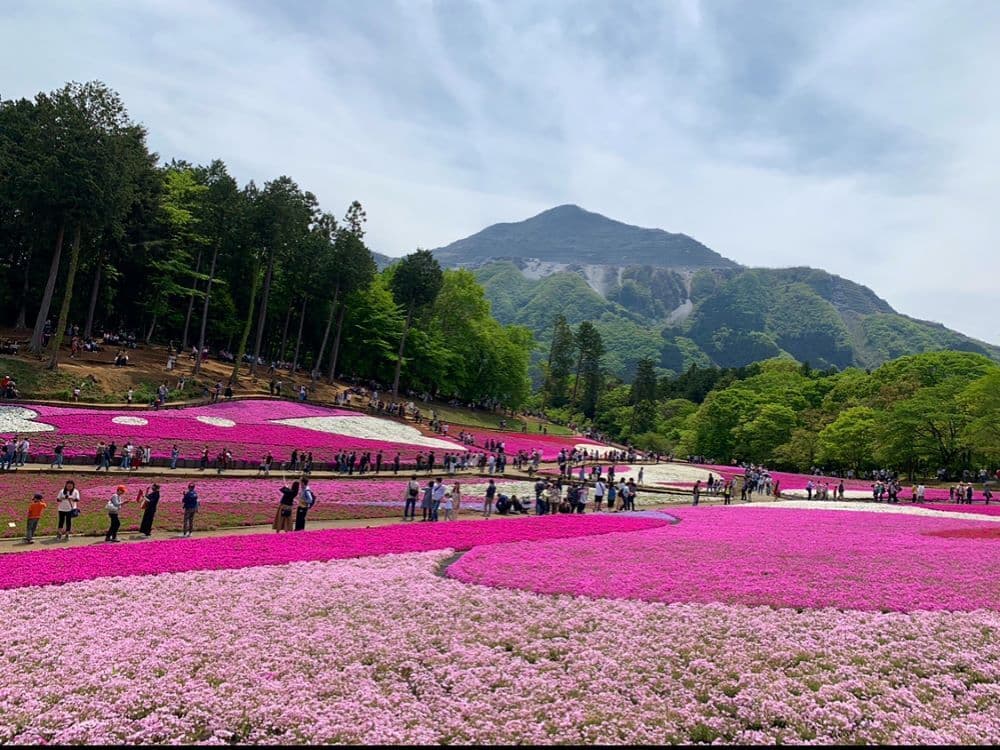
x=381 y=650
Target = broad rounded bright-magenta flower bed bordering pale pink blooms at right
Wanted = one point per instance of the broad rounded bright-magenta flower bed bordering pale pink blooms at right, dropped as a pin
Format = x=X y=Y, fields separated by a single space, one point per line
x=778 y=557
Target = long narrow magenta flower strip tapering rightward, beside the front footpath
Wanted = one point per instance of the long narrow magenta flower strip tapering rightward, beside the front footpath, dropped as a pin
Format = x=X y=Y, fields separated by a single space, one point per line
x=49 y=567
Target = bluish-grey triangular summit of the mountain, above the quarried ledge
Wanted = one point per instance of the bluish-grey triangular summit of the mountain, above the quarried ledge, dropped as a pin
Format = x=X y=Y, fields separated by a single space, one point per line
x=571 y=234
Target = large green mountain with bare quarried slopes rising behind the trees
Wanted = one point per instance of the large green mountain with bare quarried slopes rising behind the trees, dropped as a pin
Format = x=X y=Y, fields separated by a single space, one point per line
x=667 y=296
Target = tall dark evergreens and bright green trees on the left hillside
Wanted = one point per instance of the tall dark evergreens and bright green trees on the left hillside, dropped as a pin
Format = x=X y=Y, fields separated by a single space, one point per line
x=96 y=232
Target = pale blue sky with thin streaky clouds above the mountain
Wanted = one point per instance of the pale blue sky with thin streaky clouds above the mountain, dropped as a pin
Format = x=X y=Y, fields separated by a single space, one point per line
x=858 y=137
